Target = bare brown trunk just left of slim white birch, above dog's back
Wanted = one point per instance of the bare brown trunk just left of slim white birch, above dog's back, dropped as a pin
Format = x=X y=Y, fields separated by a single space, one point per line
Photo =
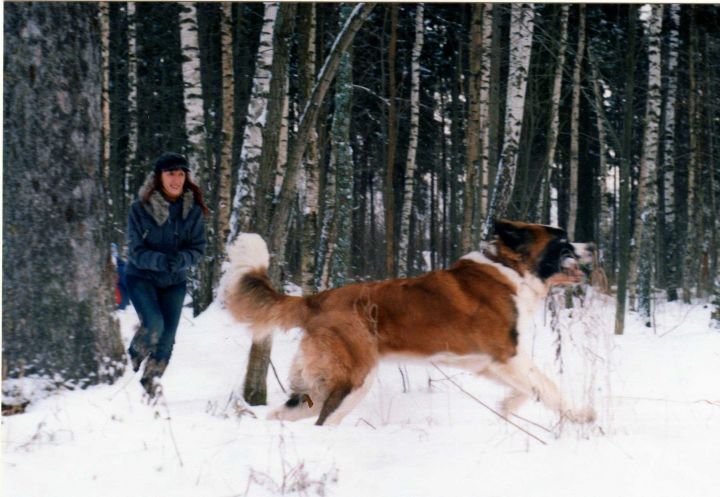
x=392 y=143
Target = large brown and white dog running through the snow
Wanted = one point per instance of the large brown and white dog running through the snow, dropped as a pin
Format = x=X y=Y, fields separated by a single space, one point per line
x=468 y=316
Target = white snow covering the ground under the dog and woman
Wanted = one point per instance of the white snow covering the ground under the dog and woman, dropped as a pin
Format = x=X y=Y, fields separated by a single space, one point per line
x=656 y=392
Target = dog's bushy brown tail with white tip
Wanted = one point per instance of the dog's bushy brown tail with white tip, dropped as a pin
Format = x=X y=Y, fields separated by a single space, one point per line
x=248 y=294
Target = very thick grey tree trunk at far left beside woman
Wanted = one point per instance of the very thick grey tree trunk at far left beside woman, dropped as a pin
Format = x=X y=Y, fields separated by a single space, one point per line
x=58 y=280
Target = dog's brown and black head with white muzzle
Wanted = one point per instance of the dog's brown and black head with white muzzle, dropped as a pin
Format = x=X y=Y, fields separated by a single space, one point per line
x=544 y=251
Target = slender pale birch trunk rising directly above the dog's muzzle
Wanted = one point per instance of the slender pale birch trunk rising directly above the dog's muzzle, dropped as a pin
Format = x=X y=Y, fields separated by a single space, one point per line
x=575 y=126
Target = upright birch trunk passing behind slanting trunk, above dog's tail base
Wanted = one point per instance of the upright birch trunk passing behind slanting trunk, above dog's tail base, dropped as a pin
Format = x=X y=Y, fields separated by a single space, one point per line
x=307 y=68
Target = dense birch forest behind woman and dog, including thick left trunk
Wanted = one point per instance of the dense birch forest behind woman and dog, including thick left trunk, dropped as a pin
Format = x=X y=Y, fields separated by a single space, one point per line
x=362 y=141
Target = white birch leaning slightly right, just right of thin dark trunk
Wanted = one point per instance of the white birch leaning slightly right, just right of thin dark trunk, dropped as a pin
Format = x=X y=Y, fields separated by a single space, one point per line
x=644 y=231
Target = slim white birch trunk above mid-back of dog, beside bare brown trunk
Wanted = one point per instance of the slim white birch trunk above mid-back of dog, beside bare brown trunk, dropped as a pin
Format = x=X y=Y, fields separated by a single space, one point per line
x=411 y=164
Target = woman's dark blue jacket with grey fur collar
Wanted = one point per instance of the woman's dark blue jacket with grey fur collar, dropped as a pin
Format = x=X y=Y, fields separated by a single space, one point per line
x=158 y=230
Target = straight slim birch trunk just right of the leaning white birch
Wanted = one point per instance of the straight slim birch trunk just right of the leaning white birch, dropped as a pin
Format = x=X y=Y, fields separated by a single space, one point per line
x=670 y=259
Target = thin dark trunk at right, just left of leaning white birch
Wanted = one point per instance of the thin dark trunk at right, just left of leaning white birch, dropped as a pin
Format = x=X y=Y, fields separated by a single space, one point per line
x=625 y=178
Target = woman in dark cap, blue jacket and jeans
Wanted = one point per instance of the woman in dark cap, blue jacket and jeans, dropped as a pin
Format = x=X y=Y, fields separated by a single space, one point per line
x=166 y=236
